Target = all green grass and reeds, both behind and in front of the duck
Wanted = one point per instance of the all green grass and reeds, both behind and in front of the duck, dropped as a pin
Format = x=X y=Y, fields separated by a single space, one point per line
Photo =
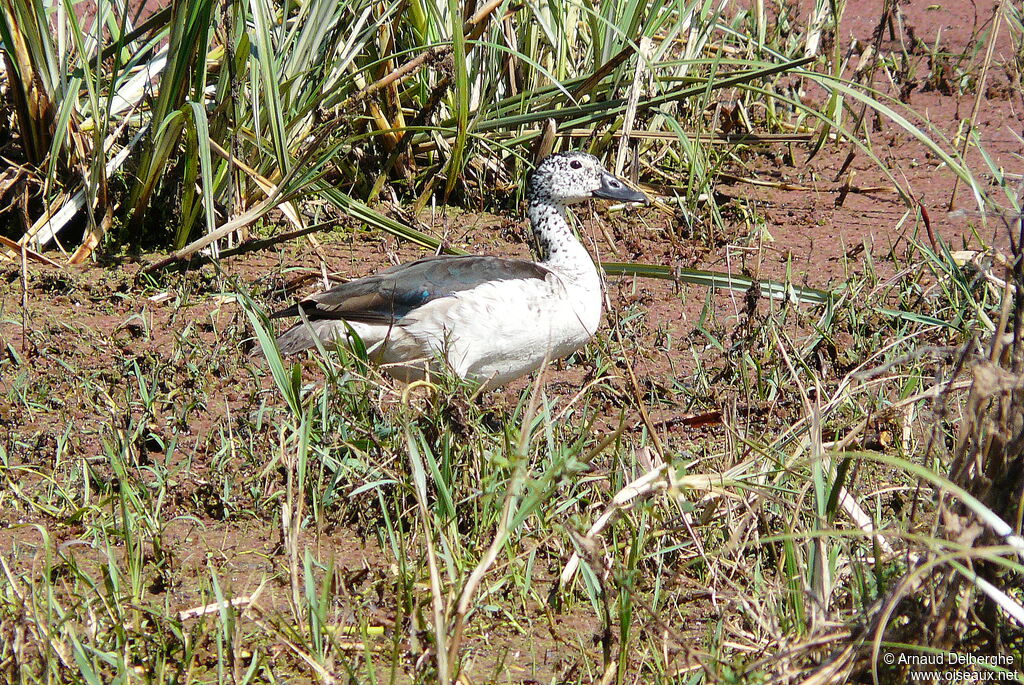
x=843 y=443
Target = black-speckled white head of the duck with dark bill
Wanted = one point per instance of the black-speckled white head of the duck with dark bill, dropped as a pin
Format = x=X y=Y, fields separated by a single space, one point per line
x=571 y=178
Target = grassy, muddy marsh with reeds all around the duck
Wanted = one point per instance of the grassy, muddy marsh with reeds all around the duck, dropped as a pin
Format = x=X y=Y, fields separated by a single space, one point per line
x=793 y=456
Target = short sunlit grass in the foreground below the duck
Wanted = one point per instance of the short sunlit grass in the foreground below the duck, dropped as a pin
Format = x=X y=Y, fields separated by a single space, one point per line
x=743 y=543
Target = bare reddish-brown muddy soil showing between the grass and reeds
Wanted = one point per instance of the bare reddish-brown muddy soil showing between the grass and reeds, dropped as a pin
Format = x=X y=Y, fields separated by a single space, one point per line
x=89 y=327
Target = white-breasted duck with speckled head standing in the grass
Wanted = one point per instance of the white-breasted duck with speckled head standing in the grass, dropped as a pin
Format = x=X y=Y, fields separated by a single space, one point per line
x=489 y=320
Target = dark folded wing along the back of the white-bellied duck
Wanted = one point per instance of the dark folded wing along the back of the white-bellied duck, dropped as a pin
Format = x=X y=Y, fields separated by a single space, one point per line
x=394 y=293
